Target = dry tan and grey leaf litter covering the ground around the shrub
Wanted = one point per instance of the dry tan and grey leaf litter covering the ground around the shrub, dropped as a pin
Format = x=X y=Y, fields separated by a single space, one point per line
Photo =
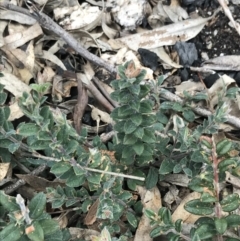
x=164 y=39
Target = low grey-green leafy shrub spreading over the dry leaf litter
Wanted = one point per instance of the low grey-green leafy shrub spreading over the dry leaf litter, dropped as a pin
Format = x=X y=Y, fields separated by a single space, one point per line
x=152 y=139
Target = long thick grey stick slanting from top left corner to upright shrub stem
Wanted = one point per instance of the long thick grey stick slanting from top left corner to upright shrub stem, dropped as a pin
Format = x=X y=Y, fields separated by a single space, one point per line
x=48 y=23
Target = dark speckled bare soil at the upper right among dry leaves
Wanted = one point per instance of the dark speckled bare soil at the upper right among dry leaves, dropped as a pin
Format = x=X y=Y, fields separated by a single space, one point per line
x=216 y=39
